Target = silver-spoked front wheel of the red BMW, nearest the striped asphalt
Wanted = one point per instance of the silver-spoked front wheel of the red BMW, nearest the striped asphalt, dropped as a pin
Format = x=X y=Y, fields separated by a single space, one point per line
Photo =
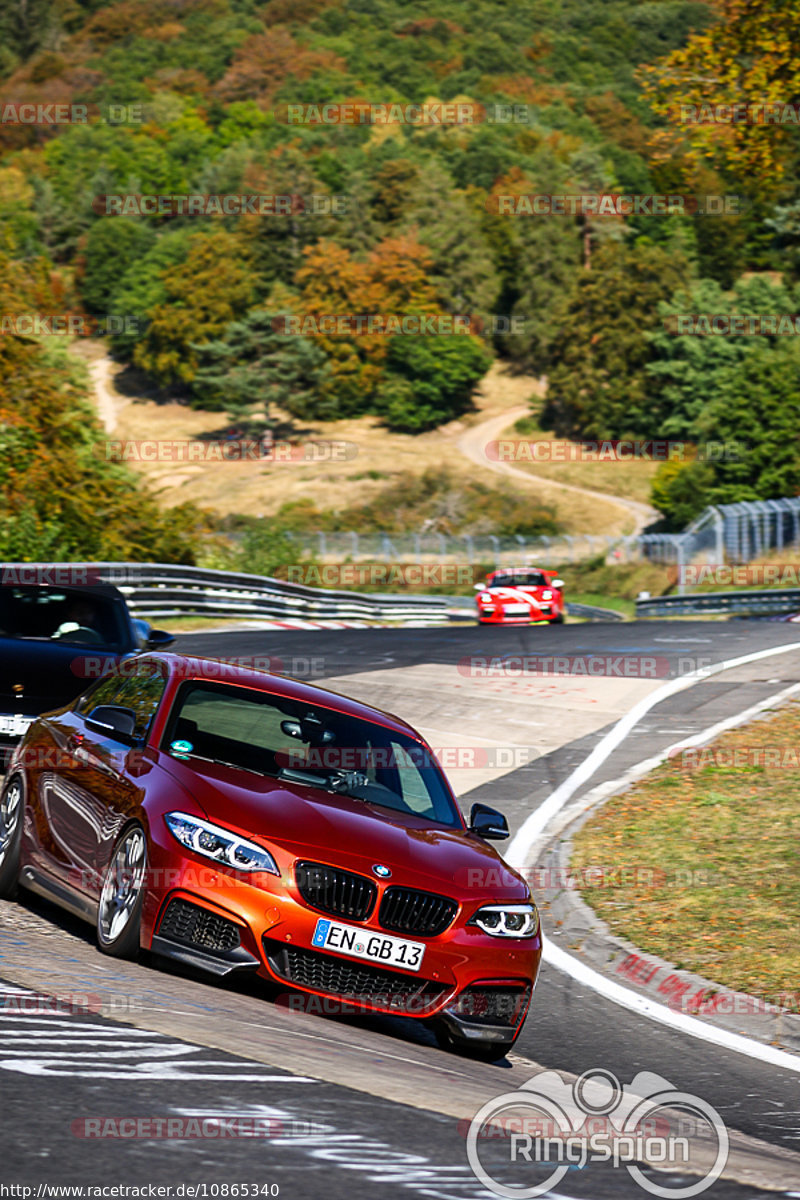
x=122 y=897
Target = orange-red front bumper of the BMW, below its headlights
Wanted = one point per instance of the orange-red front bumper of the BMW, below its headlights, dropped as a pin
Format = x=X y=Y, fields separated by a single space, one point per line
x=266 y=928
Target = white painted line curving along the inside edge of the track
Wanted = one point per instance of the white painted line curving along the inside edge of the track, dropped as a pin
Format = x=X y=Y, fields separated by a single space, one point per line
x=536 y=827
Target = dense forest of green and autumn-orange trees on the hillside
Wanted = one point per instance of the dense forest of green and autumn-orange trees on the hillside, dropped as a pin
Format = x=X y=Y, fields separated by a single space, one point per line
x=190 y=98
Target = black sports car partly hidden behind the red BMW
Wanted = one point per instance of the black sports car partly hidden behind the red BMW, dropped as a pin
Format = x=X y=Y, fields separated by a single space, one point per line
x=55 y=641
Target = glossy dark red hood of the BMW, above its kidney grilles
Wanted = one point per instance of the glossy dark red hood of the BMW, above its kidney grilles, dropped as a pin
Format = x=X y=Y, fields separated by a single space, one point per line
x=310 y=824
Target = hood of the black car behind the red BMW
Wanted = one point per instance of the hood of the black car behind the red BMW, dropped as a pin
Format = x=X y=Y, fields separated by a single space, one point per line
x=51 y=674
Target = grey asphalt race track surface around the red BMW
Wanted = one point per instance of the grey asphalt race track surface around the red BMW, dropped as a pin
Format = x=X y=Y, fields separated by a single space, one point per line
x=364 y=1106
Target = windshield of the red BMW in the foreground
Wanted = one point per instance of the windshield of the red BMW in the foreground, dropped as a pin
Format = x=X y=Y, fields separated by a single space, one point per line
x=310 y=746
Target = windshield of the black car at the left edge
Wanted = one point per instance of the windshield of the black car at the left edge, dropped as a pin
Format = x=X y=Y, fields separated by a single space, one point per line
x=63 y=615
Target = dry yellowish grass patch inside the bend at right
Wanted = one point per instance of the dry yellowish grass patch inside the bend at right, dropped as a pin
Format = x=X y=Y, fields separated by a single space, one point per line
x=706 y=863
